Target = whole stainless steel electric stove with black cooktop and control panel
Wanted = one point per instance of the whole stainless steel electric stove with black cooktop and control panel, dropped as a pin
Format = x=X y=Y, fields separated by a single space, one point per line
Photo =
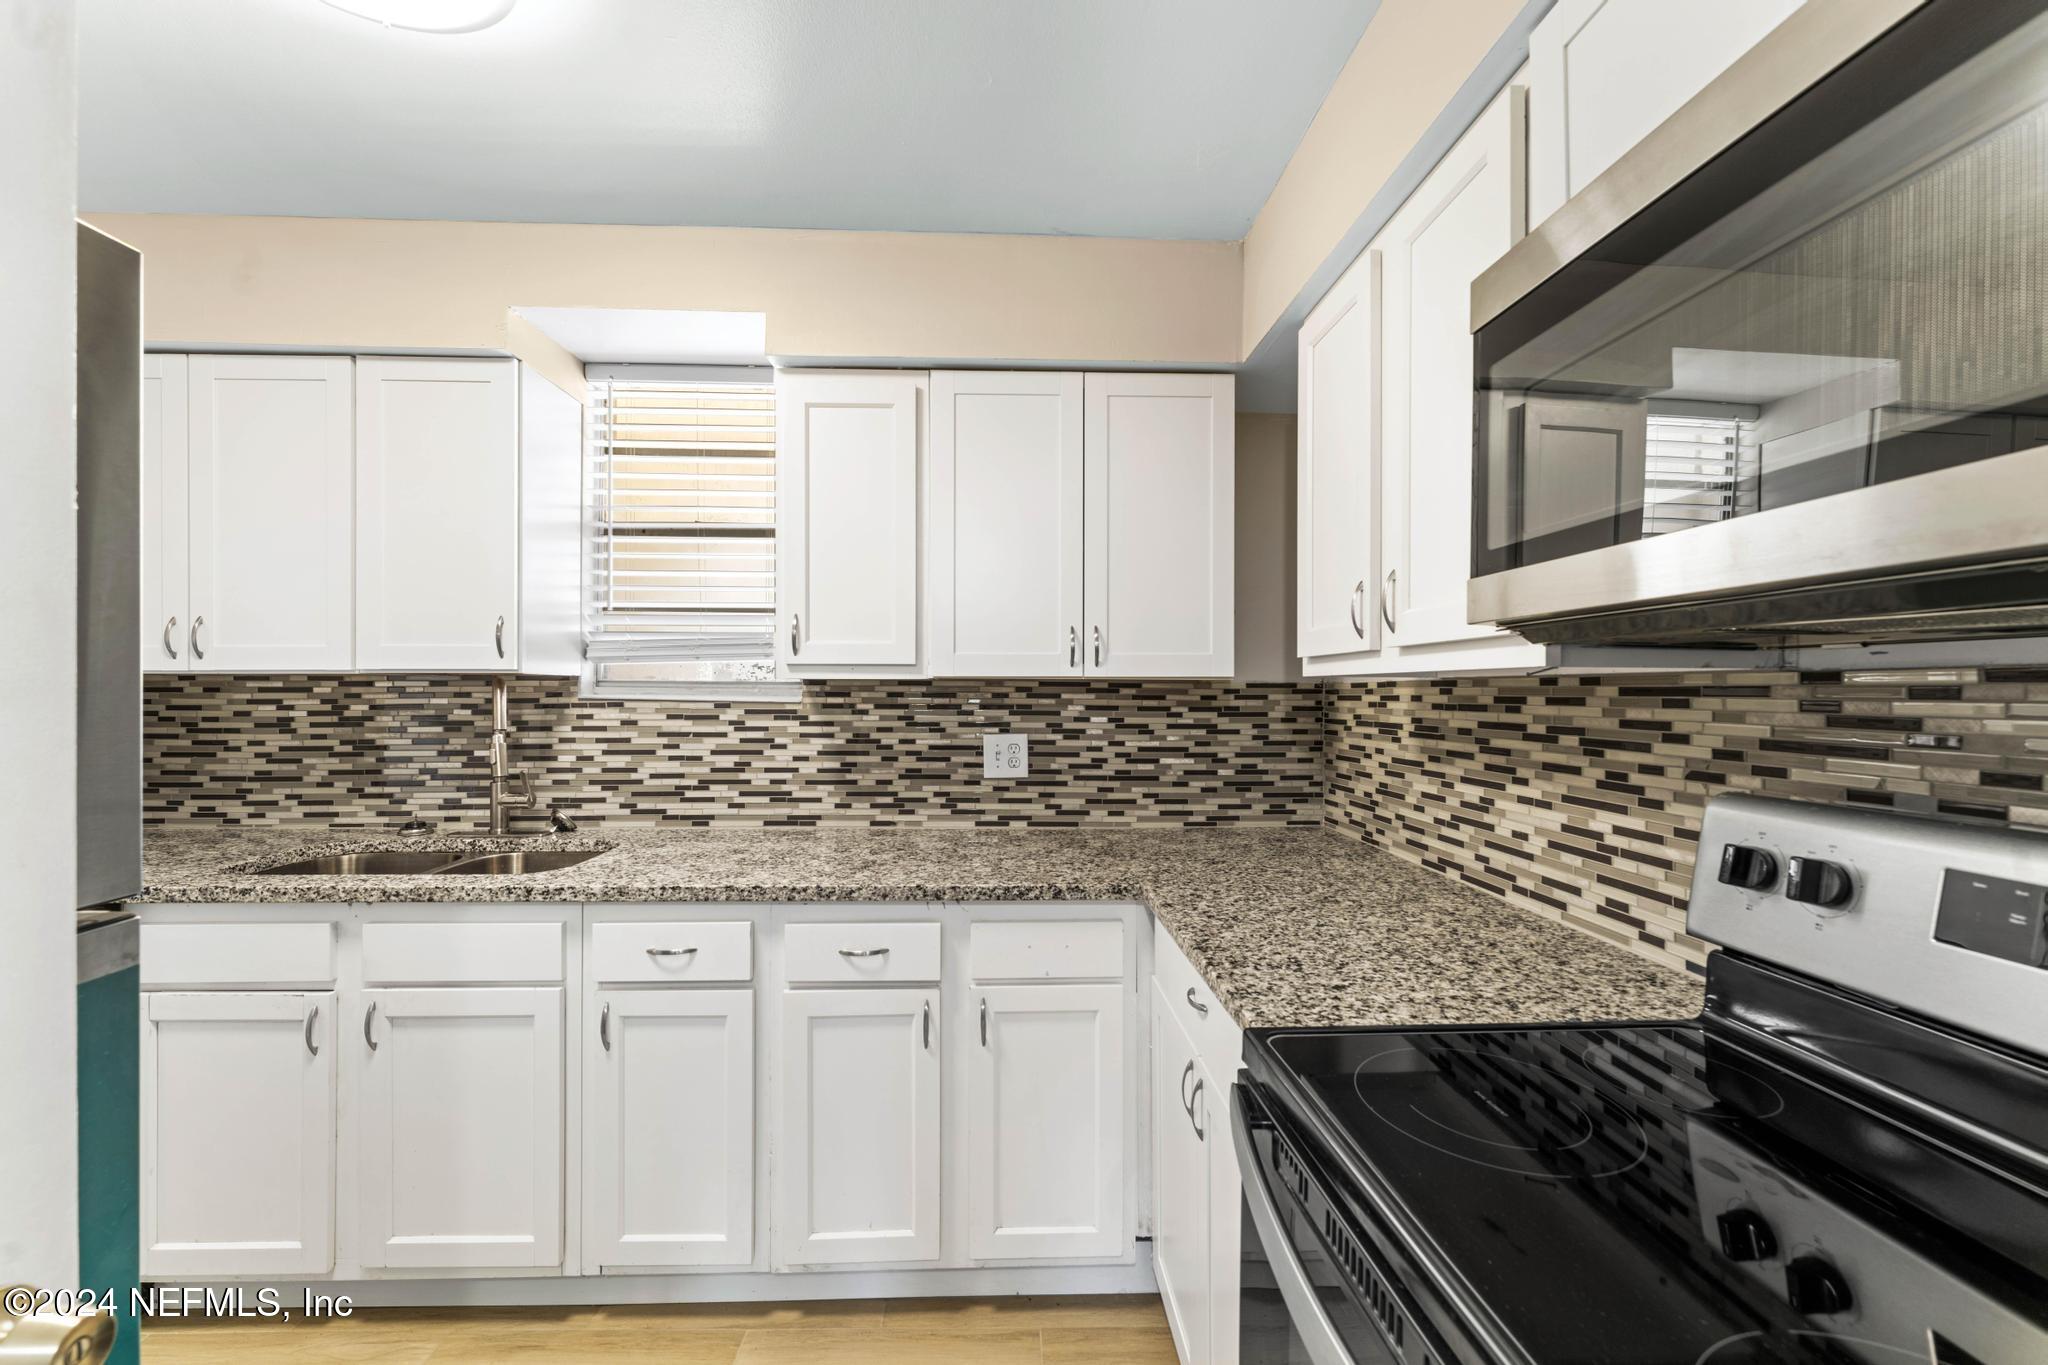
x=1842 y=1159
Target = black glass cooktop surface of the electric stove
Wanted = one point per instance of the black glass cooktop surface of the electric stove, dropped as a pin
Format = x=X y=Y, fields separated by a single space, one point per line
x=1656 y=1194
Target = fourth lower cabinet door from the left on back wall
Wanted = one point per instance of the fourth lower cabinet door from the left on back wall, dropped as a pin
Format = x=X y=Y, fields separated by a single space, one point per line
x=859 y=1155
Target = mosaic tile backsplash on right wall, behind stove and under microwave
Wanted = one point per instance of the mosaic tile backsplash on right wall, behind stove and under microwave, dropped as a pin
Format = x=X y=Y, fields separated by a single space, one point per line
x=1580 y=797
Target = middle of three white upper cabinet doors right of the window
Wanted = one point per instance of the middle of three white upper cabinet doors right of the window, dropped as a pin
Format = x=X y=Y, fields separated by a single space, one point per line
x=1007 y=525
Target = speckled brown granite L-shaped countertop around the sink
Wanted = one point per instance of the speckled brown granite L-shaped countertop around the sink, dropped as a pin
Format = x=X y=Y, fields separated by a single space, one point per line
x=1293 y=928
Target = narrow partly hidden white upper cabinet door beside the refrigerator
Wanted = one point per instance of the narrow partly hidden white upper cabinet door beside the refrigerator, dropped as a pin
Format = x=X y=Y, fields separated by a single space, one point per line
x=165 y=476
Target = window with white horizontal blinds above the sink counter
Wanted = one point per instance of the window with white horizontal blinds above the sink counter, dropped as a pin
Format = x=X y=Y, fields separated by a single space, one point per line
x=681 y=535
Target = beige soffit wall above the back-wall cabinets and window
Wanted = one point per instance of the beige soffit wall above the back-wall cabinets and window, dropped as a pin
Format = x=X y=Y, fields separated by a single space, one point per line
x=368 y=285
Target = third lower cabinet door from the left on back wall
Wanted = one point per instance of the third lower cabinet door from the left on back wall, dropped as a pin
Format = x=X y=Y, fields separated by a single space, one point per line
x=669 y=1155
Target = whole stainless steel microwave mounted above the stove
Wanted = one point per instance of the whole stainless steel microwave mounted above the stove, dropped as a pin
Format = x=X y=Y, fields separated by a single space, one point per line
x=1783 y=371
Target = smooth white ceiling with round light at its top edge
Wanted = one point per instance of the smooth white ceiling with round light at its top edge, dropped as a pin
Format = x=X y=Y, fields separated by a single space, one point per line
x=1103 y=118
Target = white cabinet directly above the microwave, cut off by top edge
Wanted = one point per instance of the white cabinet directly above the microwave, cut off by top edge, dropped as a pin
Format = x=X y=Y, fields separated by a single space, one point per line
x=1607 y=73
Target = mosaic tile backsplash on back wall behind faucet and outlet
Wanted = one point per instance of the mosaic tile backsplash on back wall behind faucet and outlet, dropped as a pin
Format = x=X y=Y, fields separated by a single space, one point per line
x=378 y=750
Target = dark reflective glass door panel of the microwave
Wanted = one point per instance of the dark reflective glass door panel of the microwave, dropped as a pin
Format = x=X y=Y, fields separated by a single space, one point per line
x=1850 y=296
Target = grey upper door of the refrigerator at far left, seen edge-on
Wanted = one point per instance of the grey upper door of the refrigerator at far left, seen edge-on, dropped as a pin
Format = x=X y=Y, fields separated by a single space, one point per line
x=110 y=568
